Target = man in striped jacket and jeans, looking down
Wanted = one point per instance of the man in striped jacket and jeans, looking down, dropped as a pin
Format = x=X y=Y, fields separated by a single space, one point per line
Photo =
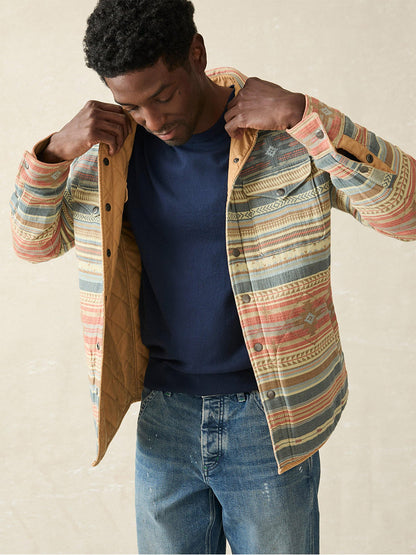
x=202 y=229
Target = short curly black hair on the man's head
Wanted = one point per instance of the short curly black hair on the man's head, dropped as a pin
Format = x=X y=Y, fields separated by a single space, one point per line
x=128 y=35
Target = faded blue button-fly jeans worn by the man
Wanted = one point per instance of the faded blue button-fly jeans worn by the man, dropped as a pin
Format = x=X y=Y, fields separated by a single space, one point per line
x=206 y=472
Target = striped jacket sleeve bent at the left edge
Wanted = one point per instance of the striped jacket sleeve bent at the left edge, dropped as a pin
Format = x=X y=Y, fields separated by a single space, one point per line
x=41 y=212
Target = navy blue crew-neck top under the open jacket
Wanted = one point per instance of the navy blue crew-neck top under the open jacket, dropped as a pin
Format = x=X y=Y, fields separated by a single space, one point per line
x=176 y=205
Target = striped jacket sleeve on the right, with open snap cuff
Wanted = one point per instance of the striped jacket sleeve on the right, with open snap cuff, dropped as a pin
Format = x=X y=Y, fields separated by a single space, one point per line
x=372 y=179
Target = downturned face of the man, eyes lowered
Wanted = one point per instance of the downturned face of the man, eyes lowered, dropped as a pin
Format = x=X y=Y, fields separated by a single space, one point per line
x=167 y=103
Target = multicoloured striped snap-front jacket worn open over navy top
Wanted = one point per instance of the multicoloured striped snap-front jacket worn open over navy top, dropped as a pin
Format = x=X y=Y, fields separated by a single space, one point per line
x=281 y=187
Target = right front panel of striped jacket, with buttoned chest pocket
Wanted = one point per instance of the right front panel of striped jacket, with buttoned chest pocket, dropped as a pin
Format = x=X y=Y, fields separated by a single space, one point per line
x=279 y=232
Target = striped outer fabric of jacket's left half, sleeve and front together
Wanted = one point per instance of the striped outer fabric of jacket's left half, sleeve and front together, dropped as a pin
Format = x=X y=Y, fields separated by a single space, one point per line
x=56 y=207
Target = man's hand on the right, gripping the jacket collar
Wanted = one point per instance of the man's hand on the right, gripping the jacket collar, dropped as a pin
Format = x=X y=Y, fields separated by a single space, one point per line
x=263 y=105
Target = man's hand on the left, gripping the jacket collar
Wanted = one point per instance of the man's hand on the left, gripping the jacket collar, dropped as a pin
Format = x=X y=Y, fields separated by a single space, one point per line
x=97 y=122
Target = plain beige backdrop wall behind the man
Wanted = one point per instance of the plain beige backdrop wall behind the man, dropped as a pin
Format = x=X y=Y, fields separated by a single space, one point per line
x=359 y=56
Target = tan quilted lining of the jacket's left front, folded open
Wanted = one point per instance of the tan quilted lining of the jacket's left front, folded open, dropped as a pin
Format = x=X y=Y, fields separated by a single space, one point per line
x=124 y=356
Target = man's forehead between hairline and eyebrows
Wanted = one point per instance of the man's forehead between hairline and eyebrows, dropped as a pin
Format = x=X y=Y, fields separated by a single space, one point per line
x=138 y=86
